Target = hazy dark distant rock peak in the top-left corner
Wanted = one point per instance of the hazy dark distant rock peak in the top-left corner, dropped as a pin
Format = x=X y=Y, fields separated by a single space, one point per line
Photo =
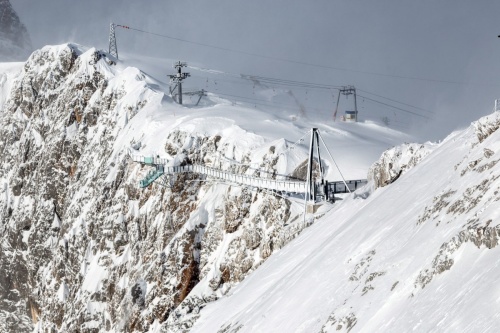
x=15 y=43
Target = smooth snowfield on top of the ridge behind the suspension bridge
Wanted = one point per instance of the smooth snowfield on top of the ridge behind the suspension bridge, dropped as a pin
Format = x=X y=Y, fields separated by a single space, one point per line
x=244 y=128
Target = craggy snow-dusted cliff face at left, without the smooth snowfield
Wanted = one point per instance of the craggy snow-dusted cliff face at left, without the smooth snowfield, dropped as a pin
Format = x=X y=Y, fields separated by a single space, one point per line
x=85 y=250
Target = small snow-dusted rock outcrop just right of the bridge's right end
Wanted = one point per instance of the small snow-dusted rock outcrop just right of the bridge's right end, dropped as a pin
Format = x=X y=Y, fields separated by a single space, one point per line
x=396 y=161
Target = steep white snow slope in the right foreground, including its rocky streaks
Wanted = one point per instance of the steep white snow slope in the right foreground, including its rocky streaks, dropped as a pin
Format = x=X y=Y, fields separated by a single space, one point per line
x=420 y=255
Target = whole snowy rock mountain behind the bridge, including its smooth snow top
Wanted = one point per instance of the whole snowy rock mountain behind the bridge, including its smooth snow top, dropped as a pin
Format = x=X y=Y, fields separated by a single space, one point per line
x=84 y=249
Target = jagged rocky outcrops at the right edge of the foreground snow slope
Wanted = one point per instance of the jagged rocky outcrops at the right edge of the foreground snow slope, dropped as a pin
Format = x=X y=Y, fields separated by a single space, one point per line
x=453 y=204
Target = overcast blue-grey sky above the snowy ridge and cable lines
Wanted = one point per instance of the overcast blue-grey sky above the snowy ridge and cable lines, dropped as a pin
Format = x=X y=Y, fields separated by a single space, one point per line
x=442 y=56
